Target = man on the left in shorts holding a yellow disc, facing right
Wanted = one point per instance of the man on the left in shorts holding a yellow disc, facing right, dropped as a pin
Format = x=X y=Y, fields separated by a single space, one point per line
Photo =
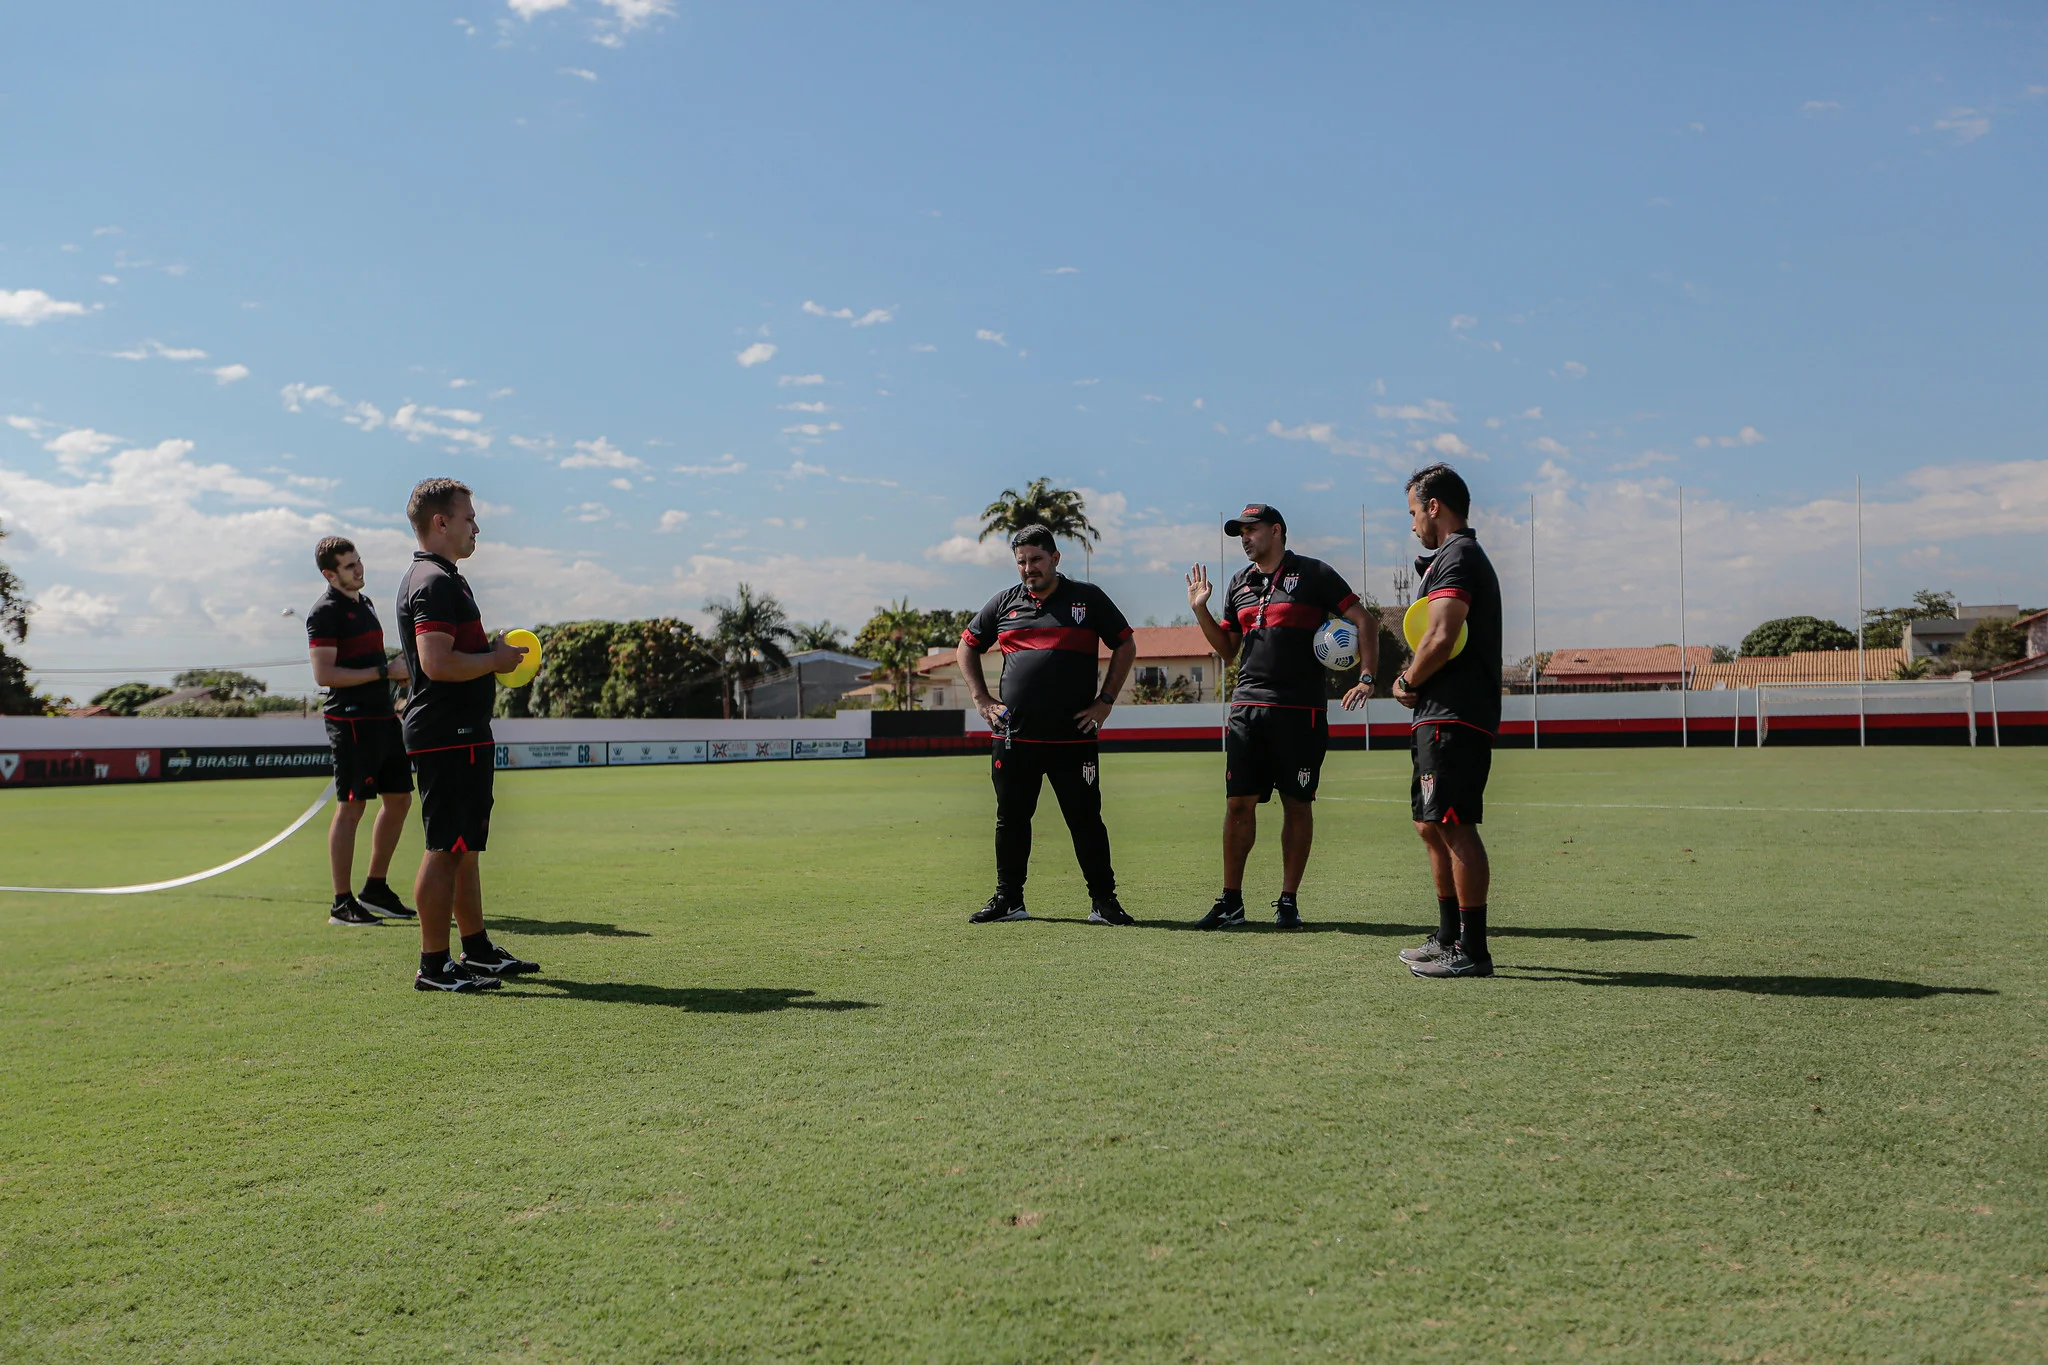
x=450 y=736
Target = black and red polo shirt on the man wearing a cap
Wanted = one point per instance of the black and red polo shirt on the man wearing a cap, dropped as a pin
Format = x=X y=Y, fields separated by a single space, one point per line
x=1279 y=617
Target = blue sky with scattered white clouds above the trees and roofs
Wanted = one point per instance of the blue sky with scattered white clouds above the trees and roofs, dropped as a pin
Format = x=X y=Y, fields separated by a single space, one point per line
x=783 y=294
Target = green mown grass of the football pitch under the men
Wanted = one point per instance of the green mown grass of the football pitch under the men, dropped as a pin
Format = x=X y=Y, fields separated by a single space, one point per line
x=1758 y=1082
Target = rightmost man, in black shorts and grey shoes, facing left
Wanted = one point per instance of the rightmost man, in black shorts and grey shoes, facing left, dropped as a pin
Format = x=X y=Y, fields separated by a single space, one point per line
x=1457 y=703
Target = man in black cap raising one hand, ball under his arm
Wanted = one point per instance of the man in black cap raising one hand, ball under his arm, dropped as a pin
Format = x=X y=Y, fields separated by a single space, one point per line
x=1279 y=725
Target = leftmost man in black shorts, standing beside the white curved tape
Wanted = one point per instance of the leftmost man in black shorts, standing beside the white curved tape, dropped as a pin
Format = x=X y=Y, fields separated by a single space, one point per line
x=370 y=752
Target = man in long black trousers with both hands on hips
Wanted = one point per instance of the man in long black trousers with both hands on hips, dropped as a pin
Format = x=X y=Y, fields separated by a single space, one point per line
x=1050 y=629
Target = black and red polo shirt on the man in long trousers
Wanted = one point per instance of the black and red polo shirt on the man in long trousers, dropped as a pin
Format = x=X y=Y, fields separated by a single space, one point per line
x=1050 y=654
